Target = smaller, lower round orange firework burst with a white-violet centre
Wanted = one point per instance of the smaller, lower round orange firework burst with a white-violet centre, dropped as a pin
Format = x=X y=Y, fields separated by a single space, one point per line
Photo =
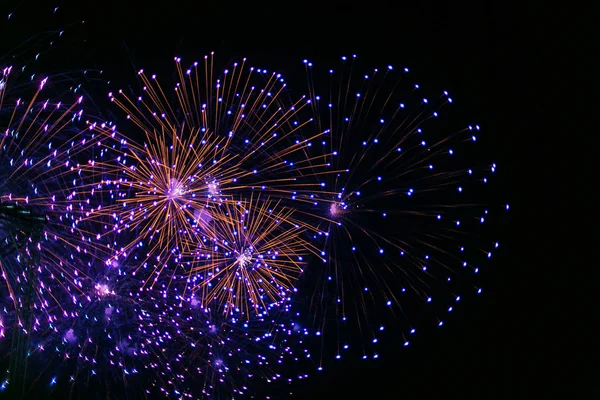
x=255 y=255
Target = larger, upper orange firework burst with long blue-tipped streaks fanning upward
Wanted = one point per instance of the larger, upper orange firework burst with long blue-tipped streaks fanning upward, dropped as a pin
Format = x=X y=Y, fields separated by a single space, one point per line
x=219 y=139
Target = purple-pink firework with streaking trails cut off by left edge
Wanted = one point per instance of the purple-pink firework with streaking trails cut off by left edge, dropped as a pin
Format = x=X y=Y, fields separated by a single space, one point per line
x=42 y=146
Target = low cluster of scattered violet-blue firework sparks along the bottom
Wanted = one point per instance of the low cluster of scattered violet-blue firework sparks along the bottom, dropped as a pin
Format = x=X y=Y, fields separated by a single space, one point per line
x=157 y=341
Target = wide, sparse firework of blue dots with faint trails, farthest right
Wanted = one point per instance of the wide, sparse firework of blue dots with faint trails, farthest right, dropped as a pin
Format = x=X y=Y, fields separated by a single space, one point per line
x=400 y=219
